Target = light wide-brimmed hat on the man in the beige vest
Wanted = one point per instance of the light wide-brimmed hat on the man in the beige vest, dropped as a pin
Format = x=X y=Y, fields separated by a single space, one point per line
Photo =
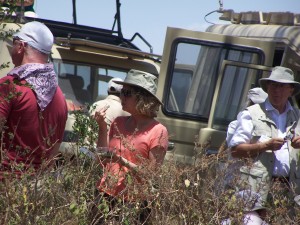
x=281 y=75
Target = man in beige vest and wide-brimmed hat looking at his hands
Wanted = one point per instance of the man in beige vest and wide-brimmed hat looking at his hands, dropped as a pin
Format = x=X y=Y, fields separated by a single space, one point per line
x=263 y=135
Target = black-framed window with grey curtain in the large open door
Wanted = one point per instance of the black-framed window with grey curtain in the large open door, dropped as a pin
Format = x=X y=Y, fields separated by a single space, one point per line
x=194 y=73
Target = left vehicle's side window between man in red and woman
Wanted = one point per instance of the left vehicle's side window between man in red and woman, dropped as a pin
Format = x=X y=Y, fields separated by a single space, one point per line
x=85 y=84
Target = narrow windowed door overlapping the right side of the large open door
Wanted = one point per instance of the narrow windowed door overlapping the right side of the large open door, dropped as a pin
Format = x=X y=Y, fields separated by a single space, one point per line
x=227 y=102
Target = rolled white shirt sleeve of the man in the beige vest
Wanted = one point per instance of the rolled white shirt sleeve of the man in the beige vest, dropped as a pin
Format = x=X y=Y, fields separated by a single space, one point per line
x=244 y=128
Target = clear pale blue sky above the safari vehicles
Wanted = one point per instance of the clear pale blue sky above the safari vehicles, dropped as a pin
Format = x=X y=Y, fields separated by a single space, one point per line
x=151 y=18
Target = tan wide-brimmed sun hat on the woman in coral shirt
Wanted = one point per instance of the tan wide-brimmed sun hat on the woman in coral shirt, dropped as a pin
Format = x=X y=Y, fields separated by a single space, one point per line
x=144 y=80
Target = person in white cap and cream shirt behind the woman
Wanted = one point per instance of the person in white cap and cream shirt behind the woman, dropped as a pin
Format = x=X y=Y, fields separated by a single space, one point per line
x=112 y=102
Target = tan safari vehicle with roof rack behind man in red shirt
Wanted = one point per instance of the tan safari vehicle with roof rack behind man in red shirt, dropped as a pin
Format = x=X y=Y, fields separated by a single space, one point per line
x=85 y=59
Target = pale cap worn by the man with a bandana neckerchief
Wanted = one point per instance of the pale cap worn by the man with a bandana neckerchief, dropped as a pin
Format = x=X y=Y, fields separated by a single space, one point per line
x=37 y=35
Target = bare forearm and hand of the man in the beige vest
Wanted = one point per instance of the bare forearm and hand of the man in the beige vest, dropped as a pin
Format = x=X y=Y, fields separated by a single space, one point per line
x=252 y=150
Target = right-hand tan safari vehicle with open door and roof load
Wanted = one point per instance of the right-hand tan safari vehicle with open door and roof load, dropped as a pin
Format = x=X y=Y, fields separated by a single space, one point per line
x=205 y=76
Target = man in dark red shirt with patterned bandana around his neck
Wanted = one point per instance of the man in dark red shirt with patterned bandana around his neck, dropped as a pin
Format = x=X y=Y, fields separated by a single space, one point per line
x=33 y=110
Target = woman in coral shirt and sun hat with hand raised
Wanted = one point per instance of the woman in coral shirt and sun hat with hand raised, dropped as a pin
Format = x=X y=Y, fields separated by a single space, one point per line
x=137 y=143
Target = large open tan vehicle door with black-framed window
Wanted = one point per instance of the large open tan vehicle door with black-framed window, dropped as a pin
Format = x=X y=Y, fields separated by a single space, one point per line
x=191 y=79
